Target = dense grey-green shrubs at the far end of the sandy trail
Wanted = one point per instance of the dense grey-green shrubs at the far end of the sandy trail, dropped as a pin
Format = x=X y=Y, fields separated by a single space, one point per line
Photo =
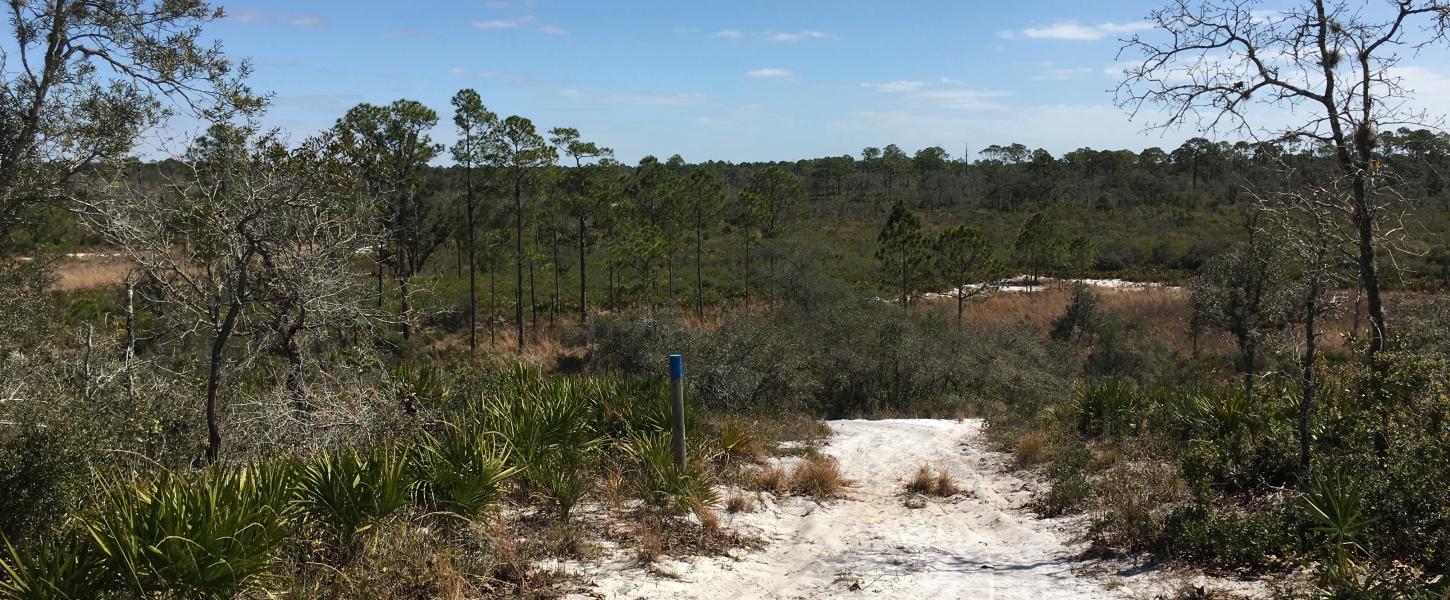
x=826 y=350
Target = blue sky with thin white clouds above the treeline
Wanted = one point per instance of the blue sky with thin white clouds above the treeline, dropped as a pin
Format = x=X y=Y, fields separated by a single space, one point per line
x=720 y=80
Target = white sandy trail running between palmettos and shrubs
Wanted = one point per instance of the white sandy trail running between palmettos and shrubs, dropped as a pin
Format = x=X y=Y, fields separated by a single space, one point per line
x=977 y=546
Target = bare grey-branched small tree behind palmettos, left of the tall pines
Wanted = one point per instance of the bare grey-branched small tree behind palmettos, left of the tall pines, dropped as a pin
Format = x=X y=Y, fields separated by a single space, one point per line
x=249 y=237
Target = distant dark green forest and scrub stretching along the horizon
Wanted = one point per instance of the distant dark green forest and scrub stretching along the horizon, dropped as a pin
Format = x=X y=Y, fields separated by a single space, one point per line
x=1158 y=214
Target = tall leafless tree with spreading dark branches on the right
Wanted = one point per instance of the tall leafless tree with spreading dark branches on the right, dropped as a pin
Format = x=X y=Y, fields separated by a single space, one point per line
x=1326 y=72
